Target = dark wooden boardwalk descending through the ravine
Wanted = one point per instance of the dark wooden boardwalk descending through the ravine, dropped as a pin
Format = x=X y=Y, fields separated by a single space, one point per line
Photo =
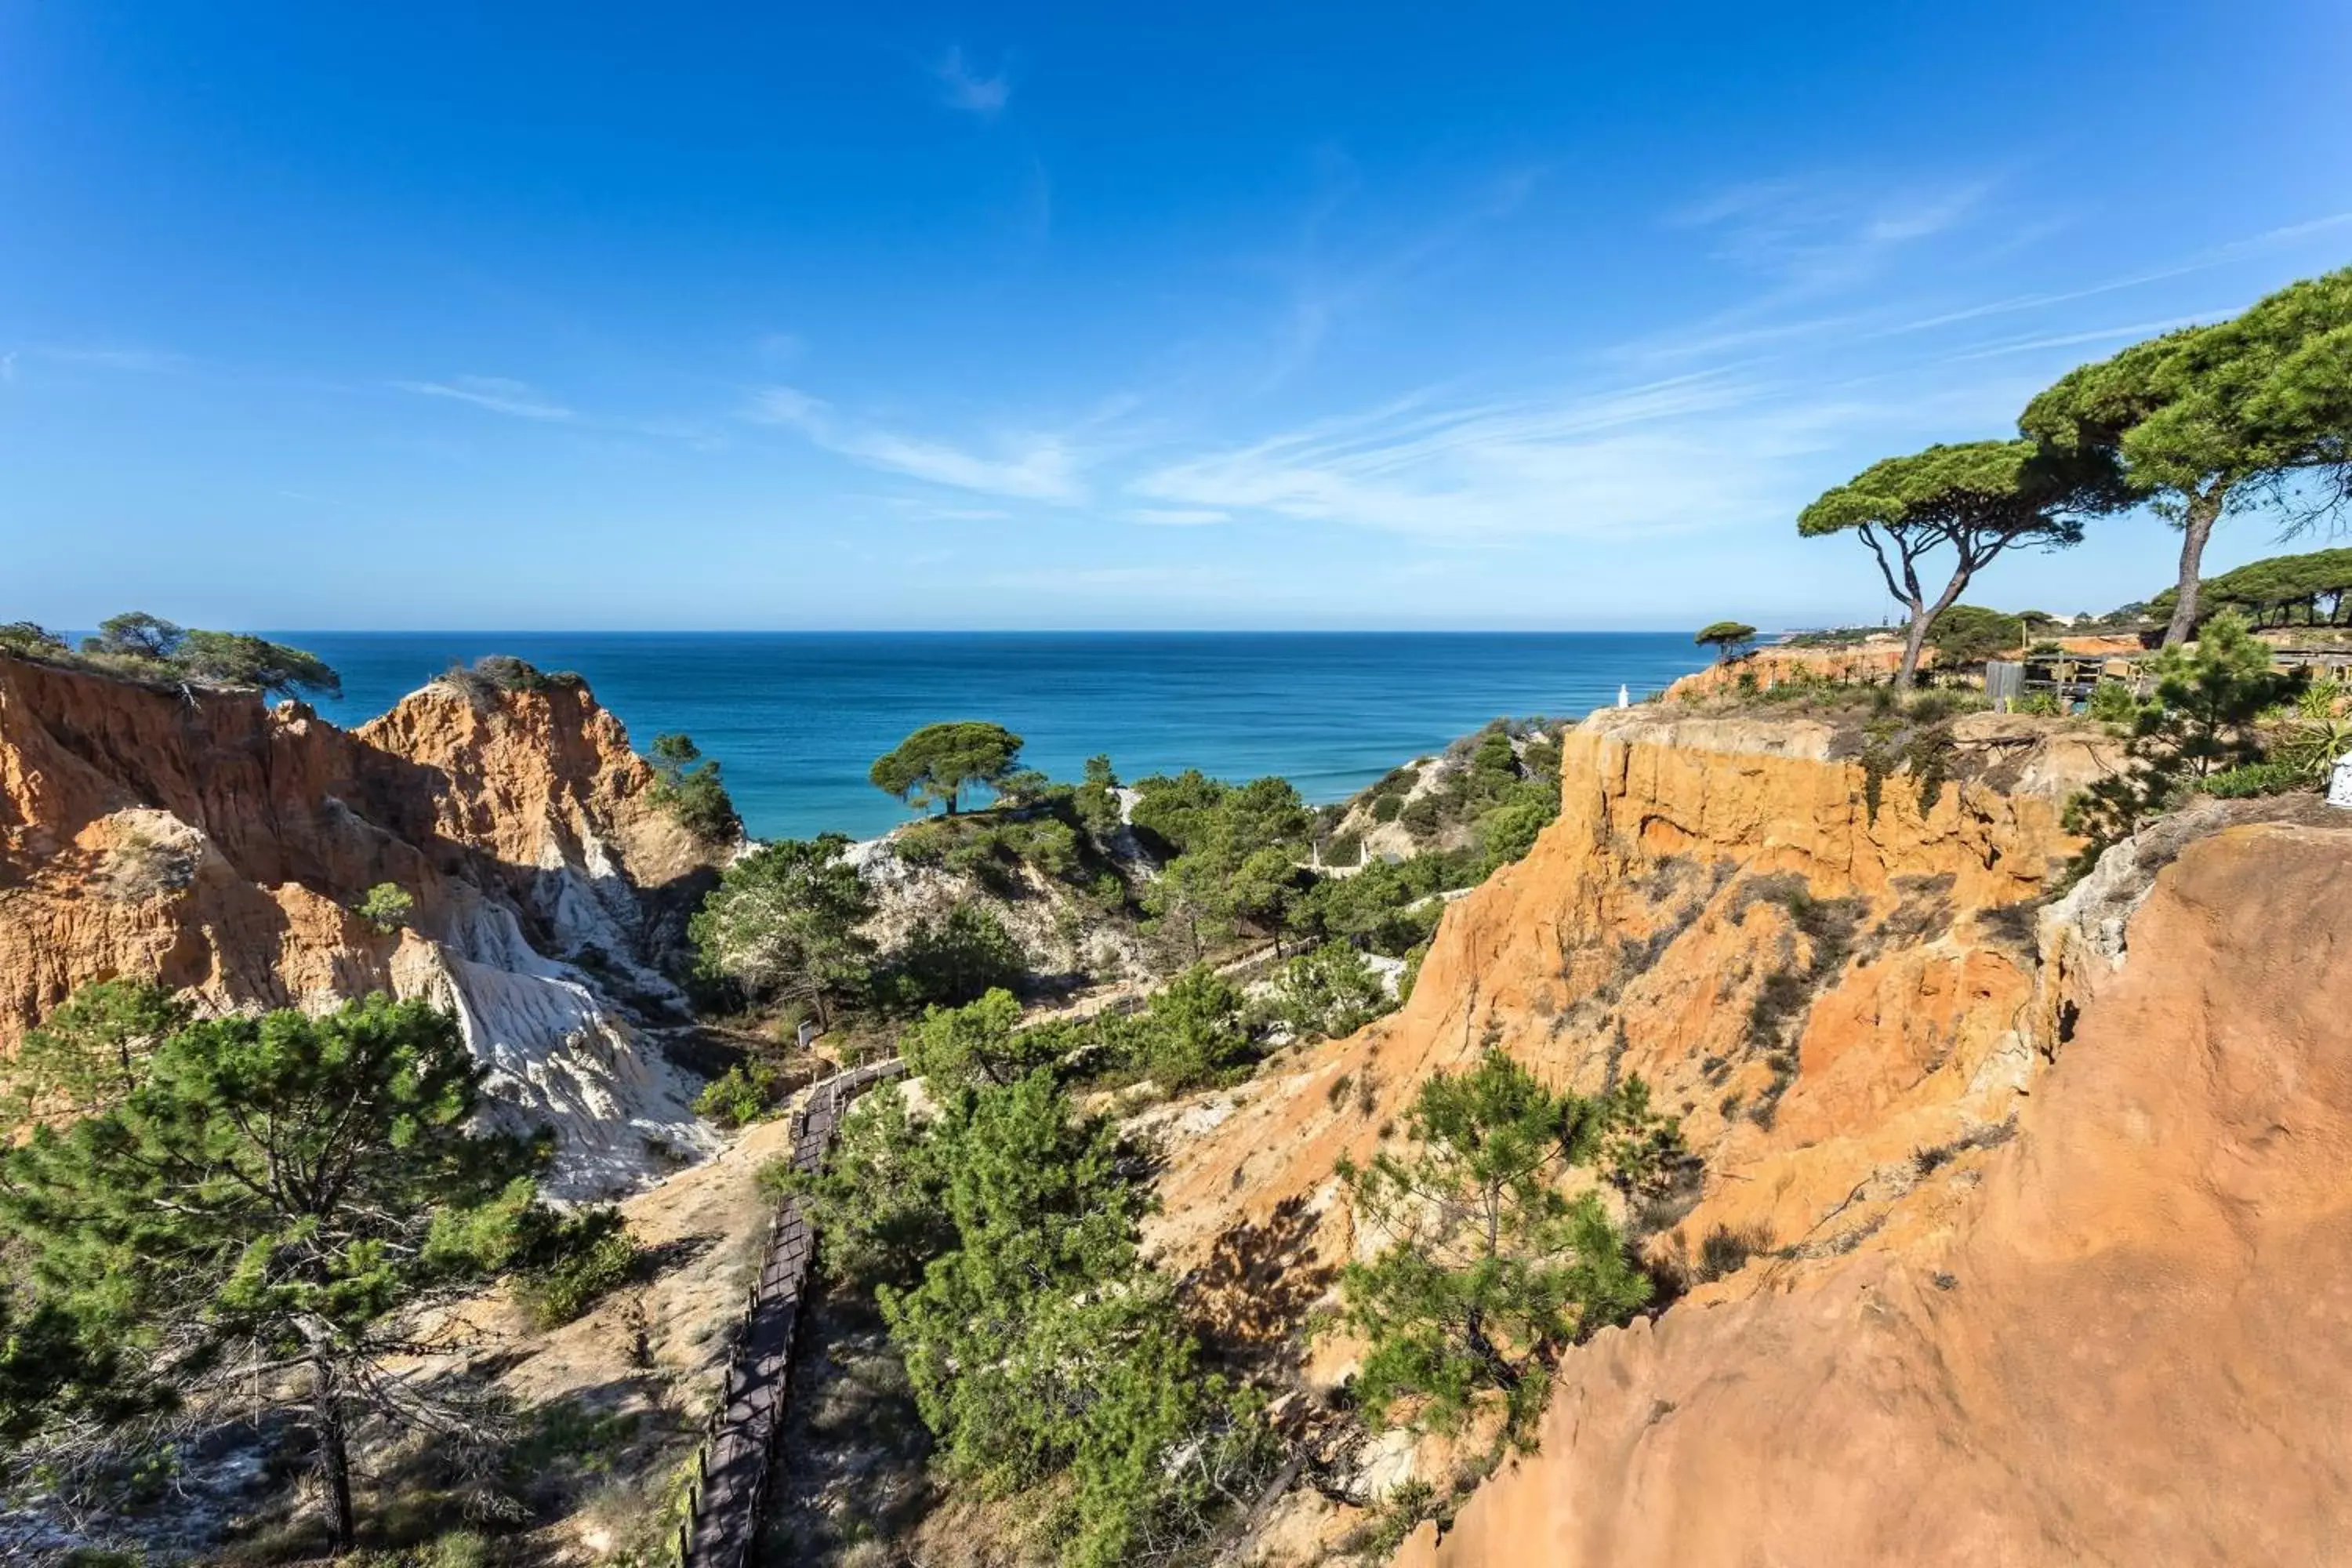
x=728 y=1501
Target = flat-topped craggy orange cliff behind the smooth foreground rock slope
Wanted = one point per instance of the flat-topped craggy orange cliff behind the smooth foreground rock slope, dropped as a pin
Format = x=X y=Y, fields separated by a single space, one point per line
x=1815 y=986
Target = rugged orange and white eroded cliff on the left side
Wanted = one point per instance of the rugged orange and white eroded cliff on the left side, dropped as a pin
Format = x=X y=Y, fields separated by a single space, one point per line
x=220 y=847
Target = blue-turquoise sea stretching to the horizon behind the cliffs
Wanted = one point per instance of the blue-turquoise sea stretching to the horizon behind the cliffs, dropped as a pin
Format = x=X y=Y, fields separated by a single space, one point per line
x=796 y=718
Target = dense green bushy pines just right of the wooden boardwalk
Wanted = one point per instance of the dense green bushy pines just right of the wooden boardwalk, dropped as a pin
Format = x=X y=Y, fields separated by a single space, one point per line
x=1045 y=1355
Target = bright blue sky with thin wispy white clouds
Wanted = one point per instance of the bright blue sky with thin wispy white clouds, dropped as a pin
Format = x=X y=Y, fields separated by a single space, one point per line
x=787 y=316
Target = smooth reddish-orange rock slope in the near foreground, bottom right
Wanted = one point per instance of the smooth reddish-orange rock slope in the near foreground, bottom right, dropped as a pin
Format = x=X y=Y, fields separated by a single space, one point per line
x=2111 y=1341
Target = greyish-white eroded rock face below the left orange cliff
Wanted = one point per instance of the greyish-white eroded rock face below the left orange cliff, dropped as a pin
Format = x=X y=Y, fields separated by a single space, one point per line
x=559 y=1057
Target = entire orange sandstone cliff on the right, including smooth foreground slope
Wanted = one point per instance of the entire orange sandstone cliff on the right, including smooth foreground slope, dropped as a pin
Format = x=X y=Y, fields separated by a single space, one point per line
x=2019 y=1231
